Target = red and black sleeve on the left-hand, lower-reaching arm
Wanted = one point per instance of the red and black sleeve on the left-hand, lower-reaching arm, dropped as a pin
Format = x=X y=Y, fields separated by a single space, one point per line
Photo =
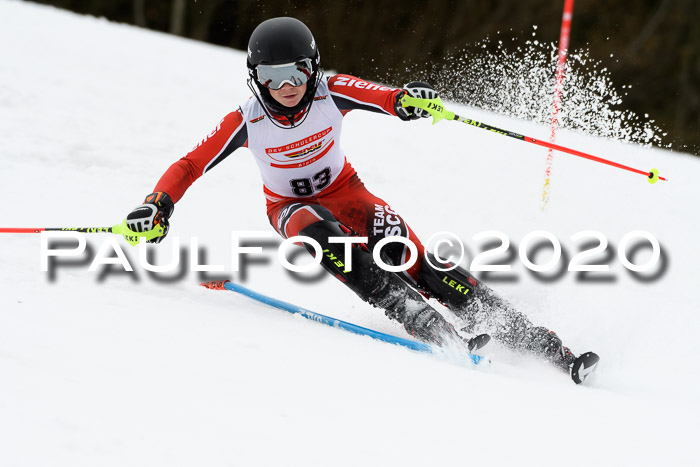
x=230 y=134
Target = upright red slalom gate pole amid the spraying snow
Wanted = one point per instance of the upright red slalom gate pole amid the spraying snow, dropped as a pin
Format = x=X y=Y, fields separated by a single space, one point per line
x=558 y=85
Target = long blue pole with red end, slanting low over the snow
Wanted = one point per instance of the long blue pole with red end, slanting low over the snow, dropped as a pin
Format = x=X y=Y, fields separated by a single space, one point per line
x=319 y=318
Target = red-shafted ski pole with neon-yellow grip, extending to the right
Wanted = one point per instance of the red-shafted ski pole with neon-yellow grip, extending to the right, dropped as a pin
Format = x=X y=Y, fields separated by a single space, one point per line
x=436 y=108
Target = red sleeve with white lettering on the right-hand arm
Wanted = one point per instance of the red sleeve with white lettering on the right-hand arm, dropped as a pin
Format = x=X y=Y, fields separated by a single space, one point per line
x=351 y=93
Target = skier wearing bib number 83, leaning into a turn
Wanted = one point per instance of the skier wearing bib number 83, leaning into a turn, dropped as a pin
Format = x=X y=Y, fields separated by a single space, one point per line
x=292 y=125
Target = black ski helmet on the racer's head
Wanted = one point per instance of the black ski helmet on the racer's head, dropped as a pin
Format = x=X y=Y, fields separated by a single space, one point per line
x=278 y=41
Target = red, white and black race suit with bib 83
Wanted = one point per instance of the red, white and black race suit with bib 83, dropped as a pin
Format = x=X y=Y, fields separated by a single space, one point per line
x=304 y=165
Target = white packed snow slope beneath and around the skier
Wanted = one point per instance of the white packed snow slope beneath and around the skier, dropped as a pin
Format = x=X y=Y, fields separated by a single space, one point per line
x=119 y=369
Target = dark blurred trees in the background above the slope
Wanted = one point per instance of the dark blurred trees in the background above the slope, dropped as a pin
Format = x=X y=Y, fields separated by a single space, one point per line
x=655 y=44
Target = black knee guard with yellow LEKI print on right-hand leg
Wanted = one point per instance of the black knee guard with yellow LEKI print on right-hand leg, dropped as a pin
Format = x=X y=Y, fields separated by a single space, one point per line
x=453 y=288
